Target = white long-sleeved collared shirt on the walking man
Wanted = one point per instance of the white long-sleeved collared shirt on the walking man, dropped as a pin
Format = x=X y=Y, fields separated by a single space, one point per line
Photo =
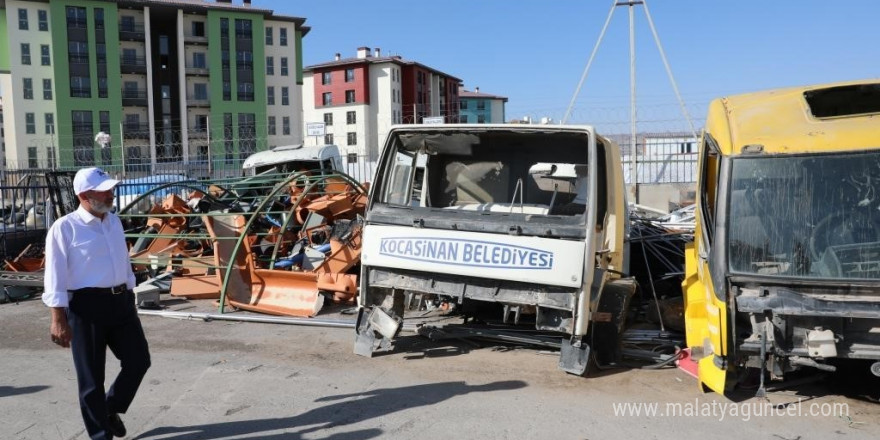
x=84 y=251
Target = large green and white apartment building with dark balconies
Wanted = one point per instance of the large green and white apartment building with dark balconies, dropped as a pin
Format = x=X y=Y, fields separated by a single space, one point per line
x=171 y=81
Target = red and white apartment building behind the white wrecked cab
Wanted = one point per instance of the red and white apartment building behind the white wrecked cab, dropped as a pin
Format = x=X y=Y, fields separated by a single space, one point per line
x=358 y=99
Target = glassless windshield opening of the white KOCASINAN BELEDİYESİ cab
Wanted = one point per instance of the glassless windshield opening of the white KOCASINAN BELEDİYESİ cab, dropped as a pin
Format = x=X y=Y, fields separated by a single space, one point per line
x=537 y=173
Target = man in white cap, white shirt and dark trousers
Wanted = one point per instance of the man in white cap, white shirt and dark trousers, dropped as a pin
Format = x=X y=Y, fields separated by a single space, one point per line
x=88 y=285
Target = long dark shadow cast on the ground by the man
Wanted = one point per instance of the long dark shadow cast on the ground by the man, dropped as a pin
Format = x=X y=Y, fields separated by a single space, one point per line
x=348 y=409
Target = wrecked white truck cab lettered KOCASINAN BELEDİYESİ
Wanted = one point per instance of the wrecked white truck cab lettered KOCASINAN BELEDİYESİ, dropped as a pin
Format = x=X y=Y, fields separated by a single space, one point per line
x=528 y=220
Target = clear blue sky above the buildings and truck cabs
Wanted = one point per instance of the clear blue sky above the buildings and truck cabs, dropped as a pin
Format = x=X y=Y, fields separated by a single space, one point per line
x=534 y=51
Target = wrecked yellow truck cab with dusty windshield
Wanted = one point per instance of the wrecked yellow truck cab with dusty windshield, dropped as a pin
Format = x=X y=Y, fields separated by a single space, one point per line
x=784 y=271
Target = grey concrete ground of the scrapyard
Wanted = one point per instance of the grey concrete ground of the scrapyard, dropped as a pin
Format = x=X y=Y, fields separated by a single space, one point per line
x=231 y=380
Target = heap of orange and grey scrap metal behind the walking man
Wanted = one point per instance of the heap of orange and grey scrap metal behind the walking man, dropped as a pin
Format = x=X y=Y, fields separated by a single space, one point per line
x=271 y=243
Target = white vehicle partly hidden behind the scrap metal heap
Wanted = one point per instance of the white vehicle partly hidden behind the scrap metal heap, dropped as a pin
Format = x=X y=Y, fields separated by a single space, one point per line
x=292 y=158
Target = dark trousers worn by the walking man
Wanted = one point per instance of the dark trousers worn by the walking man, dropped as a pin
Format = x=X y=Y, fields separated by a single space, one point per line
x=99 y=321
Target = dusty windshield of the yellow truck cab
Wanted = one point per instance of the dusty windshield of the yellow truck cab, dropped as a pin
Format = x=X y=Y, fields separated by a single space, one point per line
x=815 y=216
